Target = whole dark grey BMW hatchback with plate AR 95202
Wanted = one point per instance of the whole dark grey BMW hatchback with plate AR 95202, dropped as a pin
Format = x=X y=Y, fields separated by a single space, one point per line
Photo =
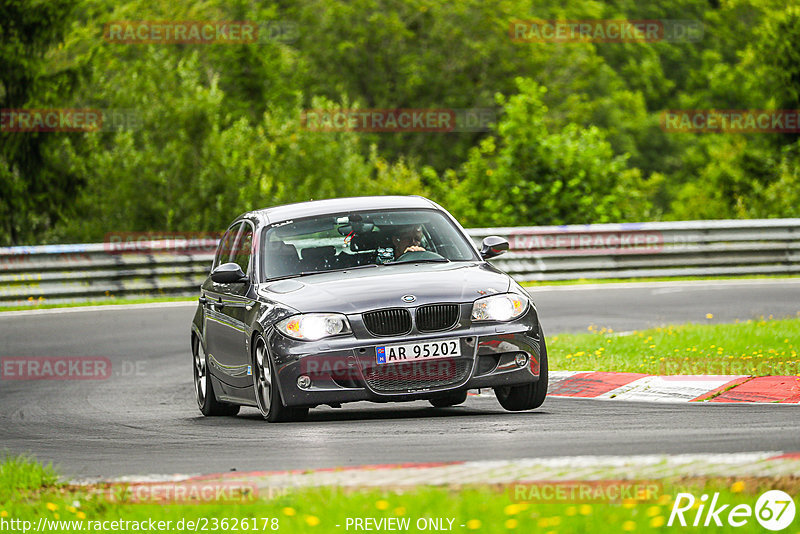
x=381 y=299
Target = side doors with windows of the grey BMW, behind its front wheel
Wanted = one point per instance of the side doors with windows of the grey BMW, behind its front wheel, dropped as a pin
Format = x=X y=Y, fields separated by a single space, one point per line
x=220 y=330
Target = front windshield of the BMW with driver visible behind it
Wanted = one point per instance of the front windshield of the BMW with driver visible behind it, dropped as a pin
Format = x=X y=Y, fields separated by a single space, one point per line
x=350 y=240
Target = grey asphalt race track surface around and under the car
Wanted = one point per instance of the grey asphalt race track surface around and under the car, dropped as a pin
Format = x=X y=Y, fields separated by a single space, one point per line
x=144 y=420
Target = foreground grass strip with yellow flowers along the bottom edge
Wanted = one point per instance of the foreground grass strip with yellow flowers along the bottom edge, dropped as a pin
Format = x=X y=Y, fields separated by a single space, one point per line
x=489 y=509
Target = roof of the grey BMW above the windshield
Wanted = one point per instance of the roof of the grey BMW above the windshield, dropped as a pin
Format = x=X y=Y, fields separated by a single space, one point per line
x=337 y=205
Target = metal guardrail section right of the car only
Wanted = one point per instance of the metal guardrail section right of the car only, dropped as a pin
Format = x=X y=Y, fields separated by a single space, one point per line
x=657 y=249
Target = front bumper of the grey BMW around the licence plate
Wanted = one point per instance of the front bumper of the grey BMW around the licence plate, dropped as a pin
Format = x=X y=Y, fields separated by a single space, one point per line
x=344 y=369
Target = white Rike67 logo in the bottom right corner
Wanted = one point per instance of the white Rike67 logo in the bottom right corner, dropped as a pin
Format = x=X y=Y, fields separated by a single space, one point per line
x=774 y=510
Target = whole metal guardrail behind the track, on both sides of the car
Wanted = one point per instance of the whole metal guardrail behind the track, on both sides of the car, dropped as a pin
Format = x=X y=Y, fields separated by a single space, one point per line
x=66 y=273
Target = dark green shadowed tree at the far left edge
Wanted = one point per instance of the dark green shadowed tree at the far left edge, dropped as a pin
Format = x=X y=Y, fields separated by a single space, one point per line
x=32 y=188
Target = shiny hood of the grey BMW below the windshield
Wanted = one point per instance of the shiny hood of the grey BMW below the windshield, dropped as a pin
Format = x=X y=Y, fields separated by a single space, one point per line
x=361 y=290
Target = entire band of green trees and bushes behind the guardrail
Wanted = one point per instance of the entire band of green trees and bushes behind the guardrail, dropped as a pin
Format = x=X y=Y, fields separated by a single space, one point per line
x=218 y=127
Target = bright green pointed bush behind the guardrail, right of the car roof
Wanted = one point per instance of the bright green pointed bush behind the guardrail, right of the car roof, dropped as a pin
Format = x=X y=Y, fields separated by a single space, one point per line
x=531 y=175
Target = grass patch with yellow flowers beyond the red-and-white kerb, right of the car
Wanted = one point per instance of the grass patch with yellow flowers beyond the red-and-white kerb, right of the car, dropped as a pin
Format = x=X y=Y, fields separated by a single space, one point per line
x=760 y=348
